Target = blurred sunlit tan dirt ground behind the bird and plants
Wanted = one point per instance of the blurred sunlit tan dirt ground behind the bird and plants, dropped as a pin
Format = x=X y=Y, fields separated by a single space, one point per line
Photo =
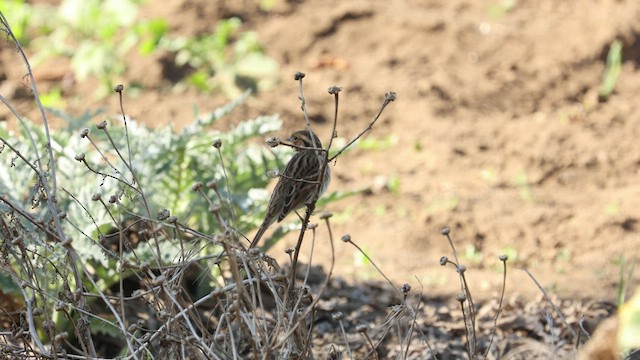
x=497 y=131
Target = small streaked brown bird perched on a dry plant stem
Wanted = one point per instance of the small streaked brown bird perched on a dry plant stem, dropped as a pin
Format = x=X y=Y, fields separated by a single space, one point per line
x=297 y=185
